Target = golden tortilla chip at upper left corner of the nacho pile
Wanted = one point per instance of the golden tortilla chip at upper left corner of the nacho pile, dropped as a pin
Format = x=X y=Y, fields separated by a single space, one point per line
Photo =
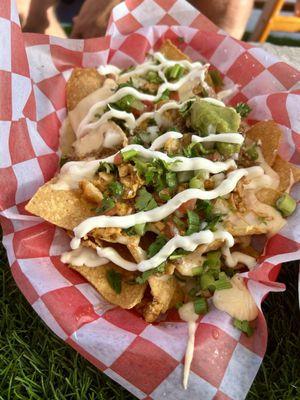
x=82 y=82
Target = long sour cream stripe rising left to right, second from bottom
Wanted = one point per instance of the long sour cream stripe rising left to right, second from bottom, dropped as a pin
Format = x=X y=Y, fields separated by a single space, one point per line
x=158 y=213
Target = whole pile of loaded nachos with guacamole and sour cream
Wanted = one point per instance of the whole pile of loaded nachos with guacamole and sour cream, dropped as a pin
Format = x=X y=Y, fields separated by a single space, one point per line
x=163 y=188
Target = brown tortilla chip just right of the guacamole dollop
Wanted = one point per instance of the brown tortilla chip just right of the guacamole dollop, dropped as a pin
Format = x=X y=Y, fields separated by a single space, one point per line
x=269 y=135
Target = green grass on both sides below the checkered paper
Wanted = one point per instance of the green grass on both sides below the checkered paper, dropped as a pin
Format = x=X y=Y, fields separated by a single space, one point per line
x=36 y=365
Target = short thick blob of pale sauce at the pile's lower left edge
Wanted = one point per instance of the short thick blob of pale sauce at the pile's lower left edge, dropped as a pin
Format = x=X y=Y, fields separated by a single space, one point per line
x=83 y=256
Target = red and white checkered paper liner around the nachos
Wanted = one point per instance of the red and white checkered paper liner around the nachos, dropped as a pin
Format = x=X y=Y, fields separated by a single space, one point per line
x=146 y=359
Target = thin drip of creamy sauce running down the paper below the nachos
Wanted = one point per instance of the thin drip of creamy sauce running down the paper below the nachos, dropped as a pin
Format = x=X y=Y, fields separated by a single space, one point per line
x=187 y=313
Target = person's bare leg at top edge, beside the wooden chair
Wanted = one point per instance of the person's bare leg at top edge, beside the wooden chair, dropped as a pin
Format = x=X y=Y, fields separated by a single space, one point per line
x=230 y=15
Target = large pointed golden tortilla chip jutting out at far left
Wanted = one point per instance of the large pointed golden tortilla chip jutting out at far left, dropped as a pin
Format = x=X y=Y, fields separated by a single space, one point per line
x=64 y=208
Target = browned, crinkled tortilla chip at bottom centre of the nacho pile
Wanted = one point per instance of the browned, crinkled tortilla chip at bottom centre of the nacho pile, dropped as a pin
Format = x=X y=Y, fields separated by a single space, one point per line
x=163 y=289
